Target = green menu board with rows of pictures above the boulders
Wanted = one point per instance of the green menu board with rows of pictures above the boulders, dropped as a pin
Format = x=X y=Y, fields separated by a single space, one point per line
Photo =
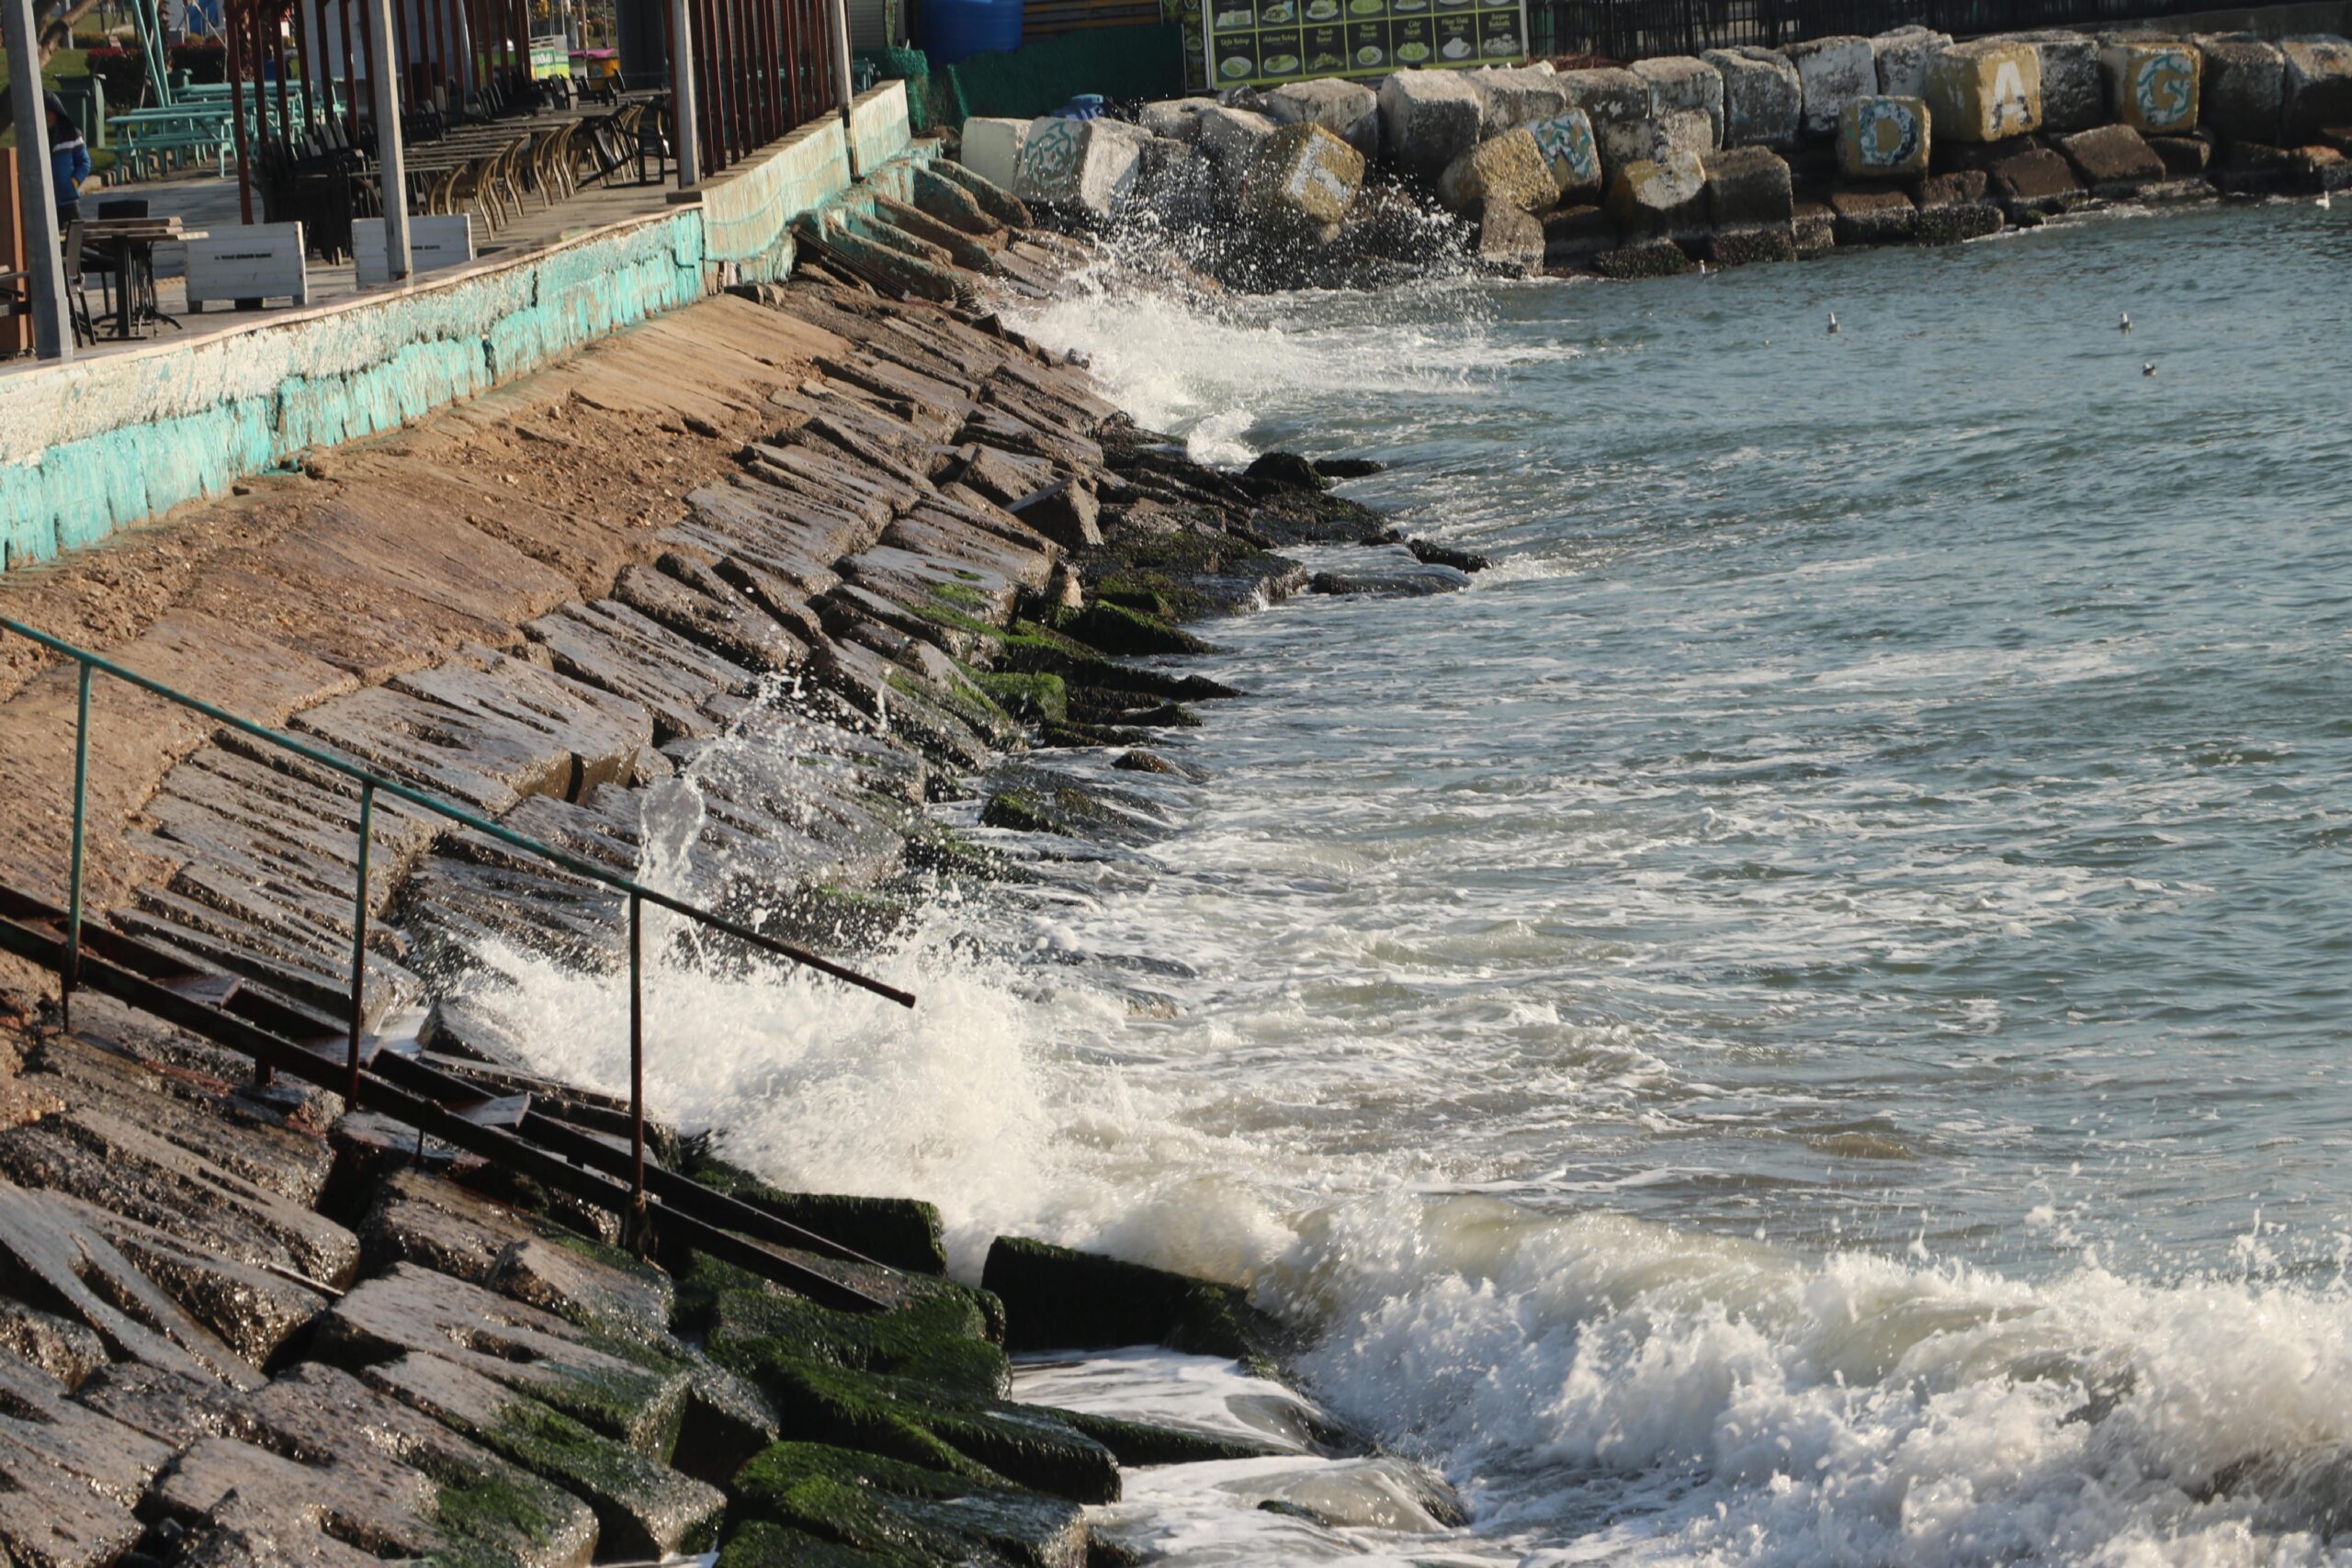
x=1264 y=43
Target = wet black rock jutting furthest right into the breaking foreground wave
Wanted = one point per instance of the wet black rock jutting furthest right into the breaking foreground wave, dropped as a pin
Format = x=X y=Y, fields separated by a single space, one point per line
x=1062 y=1299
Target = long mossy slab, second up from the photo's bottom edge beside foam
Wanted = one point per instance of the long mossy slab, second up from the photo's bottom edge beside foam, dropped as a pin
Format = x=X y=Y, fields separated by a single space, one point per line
x=921 y=1423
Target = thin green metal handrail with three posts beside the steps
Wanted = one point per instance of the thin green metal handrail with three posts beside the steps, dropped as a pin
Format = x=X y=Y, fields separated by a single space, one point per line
x=370 y=784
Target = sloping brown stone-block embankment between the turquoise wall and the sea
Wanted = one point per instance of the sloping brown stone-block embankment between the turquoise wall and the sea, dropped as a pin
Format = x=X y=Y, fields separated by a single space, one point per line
x=316 y=1334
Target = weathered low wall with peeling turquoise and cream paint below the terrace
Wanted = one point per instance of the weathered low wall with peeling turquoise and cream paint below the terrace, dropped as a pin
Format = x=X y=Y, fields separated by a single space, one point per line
x=98 y=445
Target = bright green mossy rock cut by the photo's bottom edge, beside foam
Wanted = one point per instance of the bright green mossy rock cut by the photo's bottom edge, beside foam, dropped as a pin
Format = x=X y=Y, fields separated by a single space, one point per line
x=902 y=1513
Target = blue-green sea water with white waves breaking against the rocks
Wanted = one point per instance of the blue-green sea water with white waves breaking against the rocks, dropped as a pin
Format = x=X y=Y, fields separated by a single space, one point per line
x=1798 y=1021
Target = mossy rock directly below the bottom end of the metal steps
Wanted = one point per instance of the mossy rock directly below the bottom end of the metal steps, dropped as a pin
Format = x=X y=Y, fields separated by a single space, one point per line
x=942 y=1339
